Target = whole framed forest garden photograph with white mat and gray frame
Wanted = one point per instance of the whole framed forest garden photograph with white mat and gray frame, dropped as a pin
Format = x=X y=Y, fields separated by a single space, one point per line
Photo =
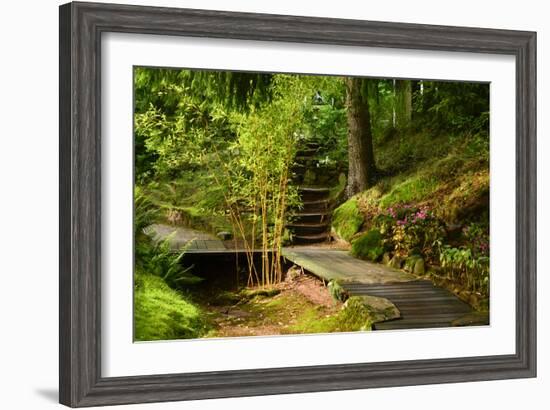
x=257 y=204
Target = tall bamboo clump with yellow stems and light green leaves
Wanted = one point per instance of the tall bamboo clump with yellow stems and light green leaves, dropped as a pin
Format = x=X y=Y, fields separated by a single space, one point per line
x=259 y=177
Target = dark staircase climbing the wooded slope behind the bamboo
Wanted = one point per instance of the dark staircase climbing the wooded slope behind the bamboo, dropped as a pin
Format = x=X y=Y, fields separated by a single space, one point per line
x=311 y=223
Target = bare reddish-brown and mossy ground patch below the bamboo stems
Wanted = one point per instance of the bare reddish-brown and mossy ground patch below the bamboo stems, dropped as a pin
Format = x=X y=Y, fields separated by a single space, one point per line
x=288 y=309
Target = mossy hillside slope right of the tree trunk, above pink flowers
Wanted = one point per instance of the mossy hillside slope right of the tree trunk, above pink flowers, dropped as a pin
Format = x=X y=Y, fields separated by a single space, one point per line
x=449 y=175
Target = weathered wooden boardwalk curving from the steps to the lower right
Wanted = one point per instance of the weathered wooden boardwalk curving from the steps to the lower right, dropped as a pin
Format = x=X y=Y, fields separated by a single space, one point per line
x=421 y=304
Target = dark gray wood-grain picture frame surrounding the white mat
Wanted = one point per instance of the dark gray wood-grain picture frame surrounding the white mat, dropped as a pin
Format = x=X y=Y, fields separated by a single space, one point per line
x=81 y=26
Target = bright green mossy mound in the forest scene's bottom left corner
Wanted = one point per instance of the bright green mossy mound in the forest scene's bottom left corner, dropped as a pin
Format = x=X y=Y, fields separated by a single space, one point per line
x=161 y=313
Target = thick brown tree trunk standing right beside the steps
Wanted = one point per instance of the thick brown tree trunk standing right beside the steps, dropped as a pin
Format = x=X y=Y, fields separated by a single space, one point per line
x=360 y=150
